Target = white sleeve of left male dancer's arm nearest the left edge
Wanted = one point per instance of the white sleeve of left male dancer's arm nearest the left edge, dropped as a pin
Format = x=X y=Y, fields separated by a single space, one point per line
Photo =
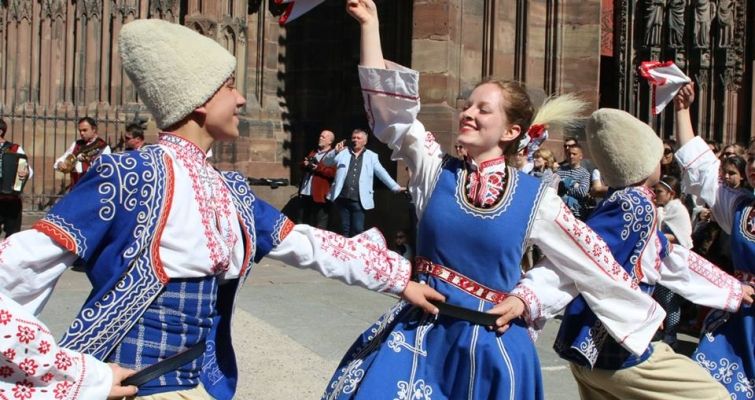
x=31 y=263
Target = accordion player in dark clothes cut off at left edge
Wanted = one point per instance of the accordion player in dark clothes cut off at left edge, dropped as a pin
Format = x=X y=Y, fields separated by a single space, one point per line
x=10 y=202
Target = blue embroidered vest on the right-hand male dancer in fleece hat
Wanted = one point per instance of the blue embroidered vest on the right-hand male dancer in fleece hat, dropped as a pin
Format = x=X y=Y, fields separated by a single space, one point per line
x=625 y=220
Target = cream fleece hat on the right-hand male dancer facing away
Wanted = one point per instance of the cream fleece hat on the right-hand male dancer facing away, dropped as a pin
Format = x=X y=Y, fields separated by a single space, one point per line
x=625 y=149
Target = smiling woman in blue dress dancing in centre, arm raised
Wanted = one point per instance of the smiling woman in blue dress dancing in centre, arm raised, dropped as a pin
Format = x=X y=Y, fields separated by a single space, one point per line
x=476 y=216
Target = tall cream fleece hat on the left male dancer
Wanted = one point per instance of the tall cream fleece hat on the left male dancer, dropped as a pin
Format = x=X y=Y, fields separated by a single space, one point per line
x=175 y=69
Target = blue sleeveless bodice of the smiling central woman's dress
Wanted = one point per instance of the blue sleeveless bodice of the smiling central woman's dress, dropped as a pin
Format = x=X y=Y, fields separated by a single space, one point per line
x=484 y=244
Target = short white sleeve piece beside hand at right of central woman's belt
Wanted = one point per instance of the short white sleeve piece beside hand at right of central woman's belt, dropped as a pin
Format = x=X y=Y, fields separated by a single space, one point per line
x=546 y=290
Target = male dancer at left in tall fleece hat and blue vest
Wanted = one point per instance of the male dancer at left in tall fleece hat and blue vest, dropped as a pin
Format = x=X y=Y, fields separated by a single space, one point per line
x=168 y=240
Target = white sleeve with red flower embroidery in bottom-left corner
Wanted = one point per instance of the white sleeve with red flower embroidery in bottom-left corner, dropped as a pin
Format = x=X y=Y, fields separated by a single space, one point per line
x=32 y=365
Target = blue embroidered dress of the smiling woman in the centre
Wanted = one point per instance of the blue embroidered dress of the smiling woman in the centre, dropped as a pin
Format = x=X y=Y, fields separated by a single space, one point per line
x=408 y=354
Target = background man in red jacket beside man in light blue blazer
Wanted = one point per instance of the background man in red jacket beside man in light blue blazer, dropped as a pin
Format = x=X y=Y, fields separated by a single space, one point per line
x=316 y=182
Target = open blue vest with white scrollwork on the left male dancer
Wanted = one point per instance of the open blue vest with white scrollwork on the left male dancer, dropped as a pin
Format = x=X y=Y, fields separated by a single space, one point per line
x=113 y=219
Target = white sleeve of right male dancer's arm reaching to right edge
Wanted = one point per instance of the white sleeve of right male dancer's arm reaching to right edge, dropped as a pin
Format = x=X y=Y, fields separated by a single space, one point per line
x=696 y=279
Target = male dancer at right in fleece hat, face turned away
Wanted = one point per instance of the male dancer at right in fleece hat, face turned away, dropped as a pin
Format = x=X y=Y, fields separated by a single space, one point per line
x=626 y=220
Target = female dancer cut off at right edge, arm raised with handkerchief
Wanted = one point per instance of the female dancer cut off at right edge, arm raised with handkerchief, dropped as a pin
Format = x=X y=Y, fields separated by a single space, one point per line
x=727 y=346
